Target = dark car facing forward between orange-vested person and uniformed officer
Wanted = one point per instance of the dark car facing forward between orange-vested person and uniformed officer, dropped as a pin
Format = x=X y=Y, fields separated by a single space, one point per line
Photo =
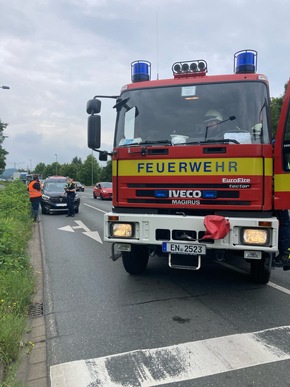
x=54 y=197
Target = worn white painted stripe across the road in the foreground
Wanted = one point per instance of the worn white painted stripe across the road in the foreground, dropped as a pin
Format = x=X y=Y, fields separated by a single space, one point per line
x=186 y=361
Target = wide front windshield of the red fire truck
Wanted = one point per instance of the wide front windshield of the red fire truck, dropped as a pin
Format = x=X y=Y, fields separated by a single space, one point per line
x=237 y=111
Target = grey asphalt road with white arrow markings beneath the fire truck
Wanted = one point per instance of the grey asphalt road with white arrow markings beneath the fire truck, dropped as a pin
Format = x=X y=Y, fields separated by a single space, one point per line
x=211 y=327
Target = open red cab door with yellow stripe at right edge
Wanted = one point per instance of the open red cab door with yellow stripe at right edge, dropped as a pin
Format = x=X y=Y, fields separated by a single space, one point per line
x=282 y=157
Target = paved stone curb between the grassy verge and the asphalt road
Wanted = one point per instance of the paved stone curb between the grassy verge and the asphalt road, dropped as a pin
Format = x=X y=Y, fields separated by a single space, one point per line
x=32 y=370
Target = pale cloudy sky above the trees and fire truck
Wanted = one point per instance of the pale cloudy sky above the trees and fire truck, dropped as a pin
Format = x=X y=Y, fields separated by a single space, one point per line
x=57 y=54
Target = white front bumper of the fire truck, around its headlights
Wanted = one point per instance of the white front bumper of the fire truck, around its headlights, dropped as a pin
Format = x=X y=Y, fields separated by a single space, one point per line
x=152 y=230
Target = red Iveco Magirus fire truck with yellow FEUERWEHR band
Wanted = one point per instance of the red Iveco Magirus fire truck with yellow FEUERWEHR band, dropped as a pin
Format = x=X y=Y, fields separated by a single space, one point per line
x=196 y=173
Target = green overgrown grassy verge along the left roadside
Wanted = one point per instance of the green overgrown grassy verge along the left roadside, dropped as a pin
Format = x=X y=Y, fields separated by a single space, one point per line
x=16 y=274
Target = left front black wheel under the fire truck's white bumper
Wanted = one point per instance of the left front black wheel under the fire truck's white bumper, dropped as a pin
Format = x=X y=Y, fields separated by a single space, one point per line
x=136 y=260
